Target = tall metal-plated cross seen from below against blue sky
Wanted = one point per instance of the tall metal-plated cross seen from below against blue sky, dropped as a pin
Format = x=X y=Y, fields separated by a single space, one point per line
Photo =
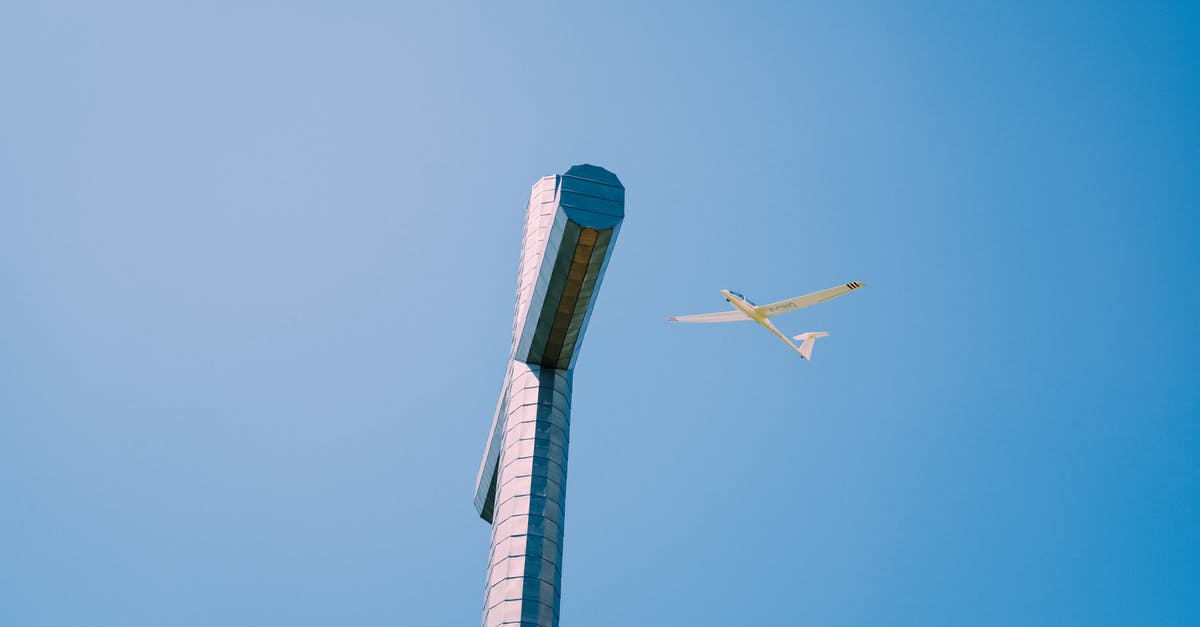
x=572 y=223
